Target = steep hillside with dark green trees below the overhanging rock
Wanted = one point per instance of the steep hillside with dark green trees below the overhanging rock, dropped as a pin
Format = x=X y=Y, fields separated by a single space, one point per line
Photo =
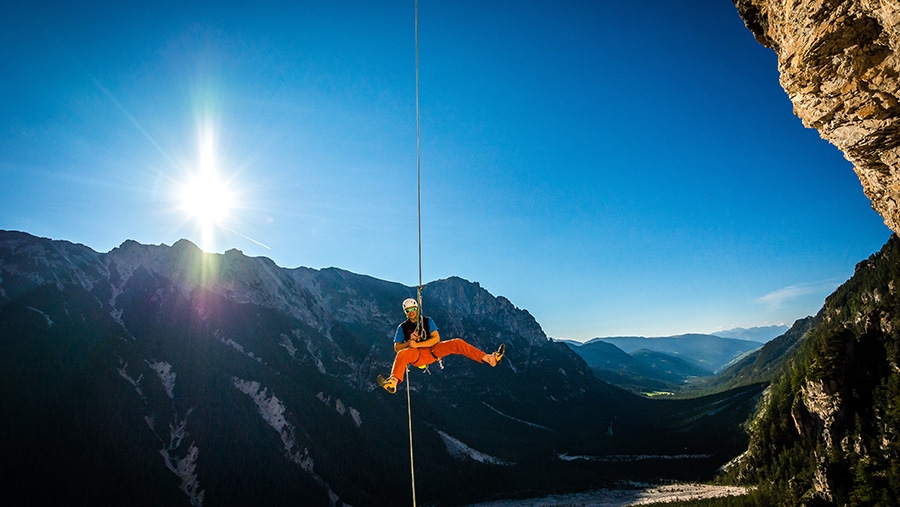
x=828 y=430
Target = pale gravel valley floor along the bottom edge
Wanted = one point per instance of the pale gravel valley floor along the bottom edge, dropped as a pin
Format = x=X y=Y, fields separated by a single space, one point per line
x=624 y=497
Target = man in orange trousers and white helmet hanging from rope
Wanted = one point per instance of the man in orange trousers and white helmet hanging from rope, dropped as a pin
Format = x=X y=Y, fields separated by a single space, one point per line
x=424 y=350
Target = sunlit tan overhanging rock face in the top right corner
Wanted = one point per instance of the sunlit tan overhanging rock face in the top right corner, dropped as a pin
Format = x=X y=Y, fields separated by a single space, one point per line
x=839 y=64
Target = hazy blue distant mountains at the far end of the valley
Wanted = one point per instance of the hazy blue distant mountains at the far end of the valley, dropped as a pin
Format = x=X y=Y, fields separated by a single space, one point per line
x=707 y=352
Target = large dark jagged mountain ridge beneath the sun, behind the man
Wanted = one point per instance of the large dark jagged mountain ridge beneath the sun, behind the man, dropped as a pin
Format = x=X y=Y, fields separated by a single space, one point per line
x=168 y=374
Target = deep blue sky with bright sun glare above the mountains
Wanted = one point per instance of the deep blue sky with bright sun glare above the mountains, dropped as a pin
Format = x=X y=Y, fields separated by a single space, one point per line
x=615 y=168
